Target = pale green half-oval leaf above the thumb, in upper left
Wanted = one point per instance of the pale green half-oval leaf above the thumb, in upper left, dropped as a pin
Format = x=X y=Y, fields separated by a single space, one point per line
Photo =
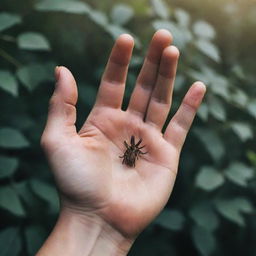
x=33 y=41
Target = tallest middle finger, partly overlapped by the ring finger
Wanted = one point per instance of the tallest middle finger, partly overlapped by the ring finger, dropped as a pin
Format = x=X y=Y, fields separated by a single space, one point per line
x=148 y=74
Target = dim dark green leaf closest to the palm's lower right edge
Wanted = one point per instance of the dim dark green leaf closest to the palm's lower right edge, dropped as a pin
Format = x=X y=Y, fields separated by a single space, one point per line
x=171 y=219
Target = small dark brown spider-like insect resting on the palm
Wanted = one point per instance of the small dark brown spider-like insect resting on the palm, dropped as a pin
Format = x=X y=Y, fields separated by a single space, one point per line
x=132 y=152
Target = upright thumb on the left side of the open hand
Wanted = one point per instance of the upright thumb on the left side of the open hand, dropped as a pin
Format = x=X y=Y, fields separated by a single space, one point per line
x=62 y=110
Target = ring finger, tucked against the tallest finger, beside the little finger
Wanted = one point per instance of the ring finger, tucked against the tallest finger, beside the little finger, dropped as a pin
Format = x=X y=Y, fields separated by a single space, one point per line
x=160 y=100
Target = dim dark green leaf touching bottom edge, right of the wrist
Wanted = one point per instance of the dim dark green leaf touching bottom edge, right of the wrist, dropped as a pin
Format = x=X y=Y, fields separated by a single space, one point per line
x=204 y=240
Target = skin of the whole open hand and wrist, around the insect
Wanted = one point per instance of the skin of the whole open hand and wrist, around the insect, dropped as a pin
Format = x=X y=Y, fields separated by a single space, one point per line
x=109 y=203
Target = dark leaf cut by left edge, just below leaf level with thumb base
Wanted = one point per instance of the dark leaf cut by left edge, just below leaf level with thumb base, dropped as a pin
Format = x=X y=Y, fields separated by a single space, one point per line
x=8 y=166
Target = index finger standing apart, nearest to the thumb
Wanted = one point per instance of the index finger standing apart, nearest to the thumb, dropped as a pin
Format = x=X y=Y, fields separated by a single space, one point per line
x=112 y=85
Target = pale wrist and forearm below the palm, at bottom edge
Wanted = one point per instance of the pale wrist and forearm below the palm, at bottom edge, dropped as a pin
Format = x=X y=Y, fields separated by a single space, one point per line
x=77 y=235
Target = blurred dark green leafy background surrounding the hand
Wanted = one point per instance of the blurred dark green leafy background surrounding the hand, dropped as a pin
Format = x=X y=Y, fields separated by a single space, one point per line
x=212 y=208
